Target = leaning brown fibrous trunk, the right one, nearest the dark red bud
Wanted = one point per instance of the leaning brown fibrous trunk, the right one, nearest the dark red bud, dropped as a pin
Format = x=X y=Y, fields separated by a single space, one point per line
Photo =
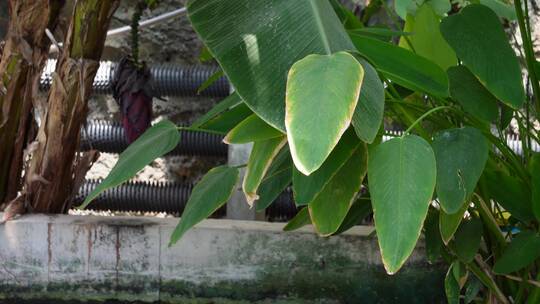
x=50 y=177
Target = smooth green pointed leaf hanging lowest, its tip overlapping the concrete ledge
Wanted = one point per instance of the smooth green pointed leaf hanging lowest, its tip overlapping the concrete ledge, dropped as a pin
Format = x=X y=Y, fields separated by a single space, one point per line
x=402 y=174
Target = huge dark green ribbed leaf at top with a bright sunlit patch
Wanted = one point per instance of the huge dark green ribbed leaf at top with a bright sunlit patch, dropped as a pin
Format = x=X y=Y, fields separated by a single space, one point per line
x=257 y=41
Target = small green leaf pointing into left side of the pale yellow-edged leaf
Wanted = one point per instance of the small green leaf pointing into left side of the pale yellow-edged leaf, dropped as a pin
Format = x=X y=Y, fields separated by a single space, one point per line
x=251 y=129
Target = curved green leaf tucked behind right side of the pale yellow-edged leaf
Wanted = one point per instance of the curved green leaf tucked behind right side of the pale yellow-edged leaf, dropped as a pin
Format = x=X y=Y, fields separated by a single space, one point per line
x=368 y=115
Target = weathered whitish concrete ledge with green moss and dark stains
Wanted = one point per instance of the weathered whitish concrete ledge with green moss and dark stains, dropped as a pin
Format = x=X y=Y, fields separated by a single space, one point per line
x=219 y=261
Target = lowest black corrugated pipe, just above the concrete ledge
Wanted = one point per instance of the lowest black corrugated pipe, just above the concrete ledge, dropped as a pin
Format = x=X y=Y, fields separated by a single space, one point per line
x=166 y=197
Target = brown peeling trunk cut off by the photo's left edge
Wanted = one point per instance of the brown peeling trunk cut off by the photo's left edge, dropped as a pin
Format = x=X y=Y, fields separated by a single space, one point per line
x=22 y=60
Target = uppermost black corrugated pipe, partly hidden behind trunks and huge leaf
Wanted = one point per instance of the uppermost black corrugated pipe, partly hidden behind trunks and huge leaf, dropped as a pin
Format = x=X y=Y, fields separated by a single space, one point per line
x=169 y=80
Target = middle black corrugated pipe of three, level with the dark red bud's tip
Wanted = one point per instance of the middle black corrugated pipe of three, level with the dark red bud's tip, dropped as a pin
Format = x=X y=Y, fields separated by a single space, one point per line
x=109 y=137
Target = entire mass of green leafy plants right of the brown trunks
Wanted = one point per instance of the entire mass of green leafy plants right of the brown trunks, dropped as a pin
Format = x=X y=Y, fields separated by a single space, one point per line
x=310 y=68
